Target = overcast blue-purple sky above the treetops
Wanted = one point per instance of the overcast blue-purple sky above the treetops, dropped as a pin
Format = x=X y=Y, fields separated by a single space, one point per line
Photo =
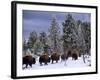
x=40 y=20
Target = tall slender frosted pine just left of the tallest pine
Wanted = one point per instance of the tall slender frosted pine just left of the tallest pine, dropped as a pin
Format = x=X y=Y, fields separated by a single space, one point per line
x=55 y=35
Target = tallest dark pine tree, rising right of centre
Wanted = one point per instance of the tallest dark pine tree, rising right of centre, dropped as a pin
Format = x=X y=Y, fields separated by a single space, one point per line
x=69 y=32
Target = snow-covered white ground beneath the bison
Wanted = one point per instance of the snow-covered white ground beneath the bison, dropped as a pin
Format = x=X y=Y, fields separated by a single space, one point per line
x=61 y=64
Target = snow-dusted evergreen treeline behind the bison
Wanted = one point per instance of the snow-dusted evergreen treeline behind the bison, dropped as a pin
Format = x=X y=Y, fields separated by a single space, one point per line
x=75 y=34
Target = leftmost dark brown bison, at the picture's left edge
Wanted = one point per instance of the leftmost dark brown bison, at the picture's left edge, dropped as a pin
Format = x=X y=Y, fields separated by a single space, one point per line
x=28 y=60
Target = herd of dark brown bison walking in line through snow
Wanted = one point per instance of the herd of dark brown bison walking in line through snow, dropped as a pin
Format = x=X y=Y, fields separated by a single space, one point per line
x=45 y=59
